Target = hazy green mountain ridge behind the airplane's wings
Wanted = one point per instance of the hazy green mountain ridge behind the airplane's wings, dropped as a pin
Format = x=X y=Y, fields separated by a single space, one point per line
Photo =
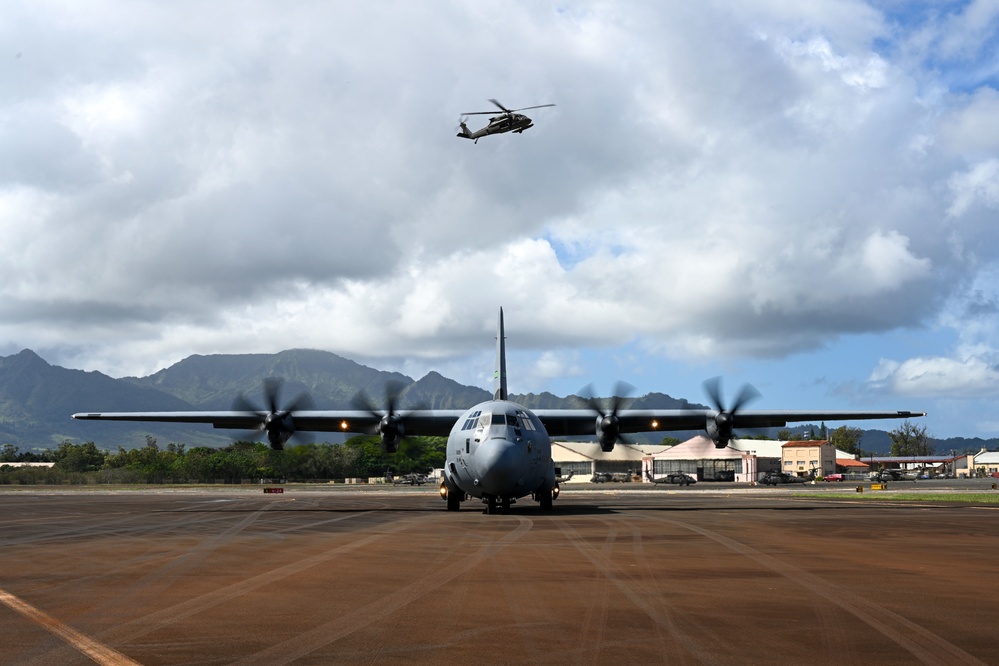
x=37 y=398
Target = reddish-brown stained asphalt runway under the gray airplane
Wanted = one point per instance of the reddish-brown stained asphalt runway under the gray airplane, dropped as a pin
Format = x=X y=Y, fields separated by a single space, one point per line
x=686 y=576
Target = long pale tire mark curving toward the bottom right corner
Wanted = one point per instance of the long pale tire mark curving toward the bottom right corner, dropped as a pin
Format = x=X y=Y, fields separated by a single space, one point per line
x=924 y=645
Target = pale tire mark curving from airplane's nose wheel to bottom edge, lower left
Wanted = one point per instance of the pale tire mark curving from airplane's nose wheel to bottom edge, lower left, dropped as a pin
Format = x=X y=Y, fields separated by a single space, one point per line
x=329 y=632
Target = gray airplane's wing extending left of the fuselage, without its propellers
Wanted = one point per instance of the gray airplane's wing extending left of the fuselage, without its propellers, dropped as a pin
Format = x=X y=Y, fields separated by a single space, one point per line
x=421 y=422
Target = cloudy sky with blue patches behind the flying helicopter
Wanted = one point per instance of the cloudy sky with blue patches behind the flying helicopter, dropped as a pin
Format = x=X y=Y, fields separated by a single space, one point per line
x=801 y=196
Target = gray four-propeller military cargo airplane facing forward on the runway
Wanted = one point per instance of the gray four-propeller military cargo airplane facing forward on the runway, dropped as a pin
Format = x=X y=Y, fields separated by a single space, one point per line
x=499 y=451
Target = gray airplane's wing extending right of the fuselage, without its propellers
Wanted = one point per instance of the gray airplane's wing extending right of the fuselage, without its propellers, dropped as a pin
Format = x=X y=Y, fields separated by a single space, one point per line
x=565 y=422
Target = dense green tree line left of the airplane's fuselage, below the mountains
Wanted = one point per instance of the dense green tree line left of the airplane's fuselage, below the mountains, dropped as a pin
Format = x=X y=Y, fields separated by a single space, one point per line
x=360 y=456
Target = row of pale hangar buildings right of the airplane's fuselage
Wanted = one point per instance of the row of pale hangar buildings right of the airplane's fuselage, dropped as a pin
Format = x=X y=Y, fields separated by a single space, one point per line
x=743 y=460
